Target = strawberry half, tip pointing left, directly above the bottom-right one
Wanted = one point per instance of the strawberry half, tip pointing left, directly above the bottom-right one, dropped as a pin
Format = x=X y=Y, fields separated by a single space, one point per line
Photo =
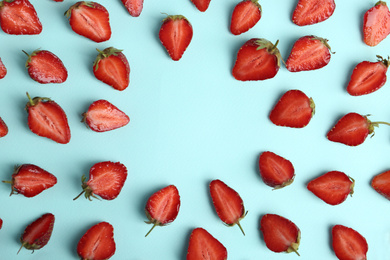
x=332 y=187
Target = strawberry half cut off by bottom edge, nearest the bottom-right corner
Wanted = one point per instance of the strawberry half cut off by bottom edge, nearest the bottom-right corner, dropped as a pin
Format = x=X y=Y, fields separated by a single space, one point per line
x=348 y=244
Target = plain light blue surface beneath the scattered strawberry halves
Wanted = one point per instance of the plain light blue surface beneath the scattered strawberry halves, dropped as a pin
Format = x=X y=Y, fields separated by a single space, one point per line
x=192 y=122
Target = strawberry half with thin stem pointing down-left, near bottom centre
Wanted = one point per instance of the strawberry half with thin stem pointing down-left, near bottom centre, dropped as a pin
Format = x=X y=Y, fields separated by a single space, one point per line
x=162 y=207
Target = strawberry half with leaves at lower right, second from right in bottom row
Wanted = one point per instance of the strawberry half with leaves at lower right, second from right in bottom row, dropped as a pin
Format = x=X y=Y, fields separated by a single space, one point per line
x=280 y=234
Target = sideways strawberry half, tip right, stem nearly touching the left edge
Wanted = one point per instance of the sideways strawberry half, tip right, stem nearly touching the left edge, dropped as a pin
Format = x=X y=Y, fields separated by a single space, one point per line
x=30 y=180
